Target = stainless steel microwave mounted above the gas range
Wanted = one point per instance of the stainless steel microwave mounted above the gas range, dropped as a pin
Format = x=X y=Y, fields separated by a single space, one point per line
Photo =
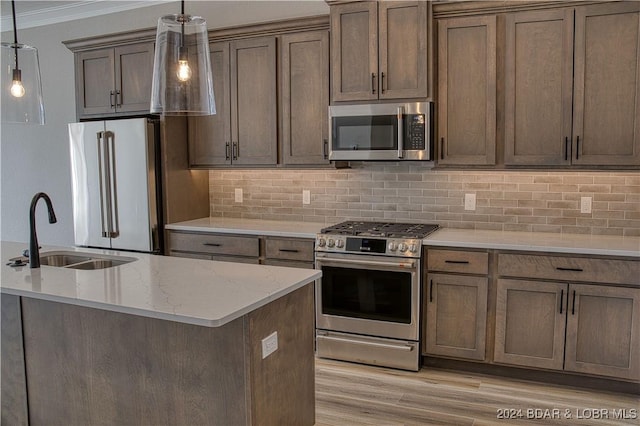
x=390 y=131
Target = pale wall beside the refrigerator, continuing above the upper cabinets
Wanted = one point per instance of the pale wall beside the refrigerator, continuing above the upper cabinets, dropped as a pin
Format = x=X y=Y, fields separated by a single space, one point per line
x=36 y=158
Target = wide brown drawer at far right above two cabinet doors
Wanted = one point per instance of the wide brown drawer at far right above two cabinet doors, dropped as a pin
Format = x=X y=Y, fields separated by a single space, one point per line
x=568 y=268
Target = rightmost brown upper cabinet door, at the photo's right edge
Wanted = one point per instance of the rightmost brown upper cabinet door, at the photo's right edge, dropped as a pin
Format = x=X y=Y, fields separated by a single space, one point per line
x=606 y=126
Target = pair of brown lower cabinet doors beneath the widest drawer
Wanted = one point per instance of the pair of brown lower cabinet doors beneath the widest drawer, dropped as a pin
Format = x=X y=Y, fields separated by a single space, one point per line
x=583 y=328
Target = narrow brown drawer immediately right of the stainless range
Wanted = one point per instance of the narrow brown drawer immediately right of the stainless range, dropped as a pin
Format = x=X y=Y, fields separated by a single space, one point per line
x=468 y=262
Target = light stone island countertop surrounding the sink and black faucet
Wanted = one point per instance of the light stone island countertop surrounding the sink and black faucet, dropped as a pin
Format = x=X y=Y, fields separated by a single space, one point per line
x=200 y=292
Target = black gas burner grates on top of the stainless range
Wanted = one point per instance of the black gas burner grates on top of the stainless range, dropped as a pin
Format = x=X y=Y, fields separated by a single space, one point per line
x=381 y=229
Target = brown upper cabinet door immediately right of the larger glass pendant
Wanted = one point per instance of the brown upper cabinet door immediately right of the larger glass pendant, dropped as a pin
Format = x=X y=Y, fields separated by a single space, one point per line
x=254 y=125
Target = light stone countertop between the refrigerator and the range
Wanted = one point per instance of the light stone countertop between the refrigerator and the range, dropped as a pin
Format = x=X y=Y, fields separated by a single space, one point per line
x=276 y=228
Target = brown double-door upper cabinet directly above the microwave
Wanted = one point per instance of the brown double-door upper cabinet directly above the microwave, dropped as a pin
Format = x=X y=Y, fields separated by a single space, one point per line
x=379 y=50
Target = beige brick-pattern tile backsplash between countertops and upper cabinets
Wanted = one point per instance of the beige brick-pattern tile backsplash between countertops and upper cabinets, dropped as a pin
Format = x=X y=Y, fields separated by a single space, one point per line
x=540 y=201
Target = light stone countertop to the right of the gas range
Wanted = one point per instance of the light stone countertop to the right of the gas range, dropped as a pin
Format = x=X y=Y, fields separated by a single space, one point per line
x=605 y=245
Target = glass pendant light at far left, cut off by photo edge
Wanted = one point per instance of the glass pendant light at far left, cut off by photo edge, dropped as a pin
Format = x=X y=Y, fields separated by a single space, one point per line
x=21 y=86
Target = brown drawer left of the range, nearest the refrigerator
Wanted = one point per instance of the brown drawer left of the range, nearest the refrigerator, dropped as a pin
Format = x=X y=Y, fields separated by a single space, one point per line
x=214 y=243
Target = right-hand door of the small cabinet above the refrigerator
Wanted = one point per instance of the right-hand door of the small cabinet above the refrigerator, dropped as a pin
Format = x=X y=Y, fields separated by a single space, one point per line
x=134 y=71
